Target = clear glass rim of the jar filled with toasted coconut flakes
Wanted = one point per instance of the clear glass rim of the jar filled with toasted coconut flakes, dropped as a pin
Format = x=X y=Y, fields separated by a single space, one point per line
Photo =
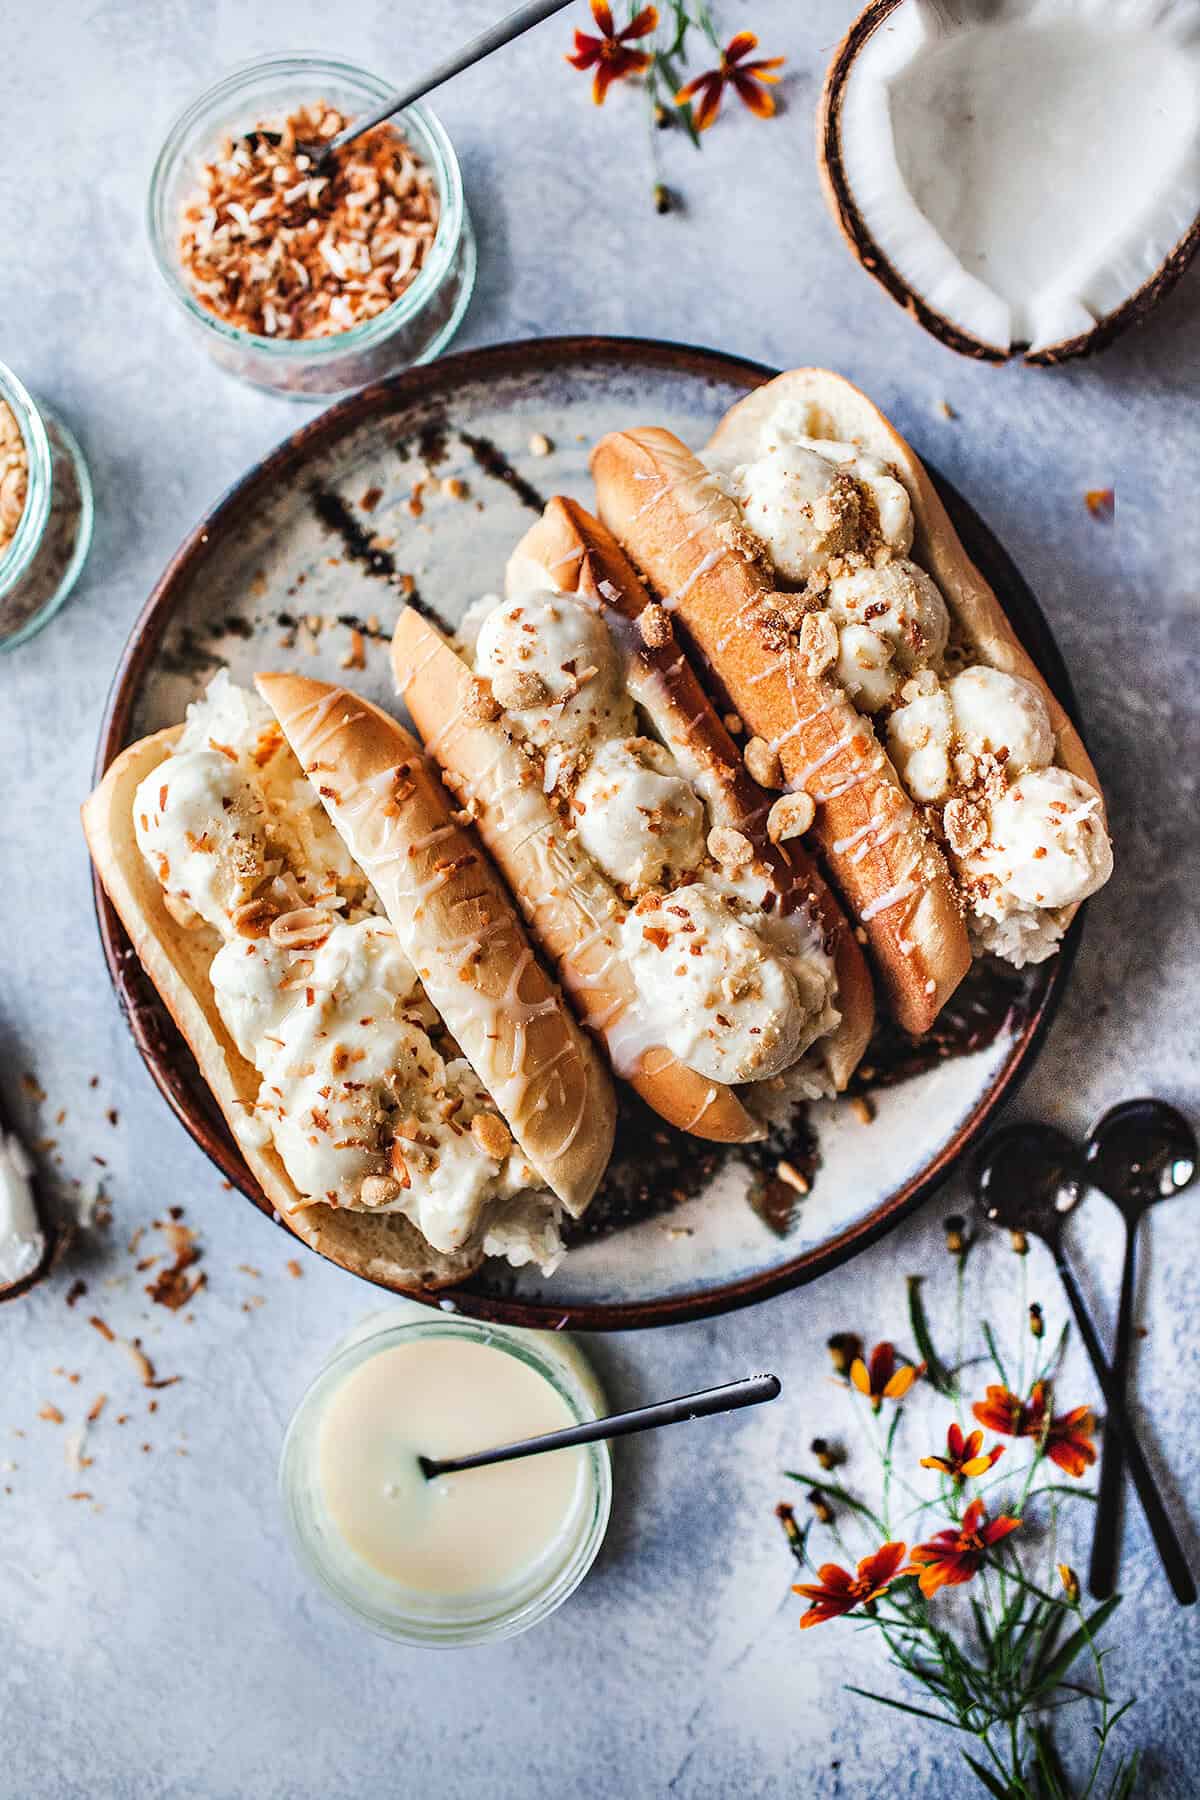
x=434 y=145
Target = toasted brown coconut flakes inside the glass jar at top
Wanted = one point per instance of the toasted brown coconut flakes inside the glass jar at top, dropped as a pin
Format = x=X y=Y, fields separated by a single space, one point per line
x=274 y=249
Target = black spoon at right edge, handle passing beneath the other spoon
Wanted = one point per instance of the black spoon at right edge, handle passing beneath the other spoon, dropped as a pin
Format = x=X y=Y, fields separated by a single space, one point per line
x=1143 y=1151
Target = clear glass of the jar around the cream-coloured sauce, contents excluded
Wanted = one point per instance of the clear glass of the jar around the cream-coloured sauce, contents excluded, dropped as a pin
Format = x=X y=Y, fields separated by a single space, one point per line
x=440 y=1621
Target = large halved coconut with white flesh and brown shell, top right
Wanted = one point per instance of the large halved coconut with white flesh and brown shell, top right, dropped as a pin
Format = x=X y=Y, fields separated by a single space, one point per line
x=1023 y=175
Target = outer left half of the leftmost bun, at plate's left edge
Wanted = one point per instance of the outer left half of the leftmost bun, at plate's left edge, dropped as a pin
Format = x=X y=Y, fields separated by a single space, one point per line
x=386 y=1248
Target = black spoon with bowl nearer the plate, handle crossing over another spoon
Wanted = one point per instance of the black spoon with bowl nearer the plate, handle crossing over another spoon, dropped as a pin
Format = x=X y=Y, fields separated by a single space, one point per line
x=1028 y=1178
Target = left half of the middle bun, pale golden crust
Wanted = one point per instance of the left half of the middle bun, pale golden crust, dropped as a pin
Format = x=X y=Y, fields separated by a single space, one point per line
x=568 y=903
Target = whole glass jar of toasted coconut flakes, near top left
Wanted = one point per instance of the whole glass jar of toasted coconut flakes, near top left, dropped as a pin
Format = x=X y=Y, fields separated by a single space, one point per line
x=310 y=282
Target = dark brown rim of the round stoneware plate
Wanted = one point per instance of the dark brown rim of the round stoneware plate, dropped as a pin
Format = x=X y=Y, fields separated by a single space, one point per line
x=166 y=1056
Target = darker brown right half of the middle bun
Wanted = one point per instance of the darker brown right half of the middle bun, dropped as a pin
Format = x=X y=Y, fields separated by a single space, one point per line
x=582 y=557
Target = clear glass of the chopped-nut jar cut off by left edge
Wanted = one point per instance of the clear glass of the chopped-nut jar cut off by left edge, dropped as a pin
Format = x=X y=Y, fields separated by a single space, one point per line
x=42 y=562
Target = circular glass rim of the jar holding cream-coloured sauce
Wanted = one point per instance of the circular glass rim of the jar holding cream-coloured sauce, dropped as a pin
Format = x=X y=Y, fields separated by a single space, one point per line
x=519 y=1614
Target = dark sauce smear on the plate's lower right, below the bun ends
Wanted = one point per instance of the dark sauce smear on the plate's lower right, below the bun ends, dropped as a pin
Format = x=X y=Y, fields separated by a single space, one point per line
x=656 y=1167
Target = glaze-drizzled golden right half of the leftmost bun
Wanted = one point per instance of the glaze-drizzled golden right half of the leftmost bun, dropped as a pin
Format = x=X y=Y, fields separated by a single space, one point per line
x=458 y=928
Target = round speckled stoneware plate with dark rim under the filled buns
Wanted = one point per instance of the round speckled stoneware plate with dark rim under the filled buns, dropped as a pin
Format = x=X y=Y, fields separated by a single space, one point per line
x=424 y=485
